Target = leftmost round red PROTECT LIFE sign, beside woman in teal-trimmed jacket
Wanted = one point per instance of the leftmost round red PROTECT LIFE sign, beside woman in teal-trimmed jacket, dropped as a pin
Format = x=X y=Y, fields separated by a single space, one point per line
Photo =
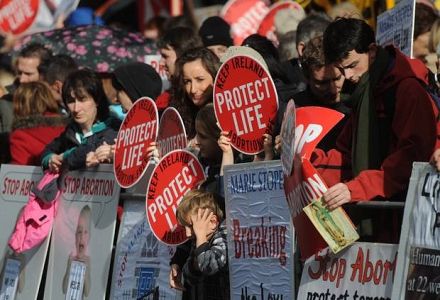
x=137 y=131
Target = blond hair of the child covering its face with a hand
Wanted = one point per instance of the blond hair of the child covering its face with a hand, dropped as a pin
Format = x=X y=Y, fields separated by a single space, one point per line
x=194 y=200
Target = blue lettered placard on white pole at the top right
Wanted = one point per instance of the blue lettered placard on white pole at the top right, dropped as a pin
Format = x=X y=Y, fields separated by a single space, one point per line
x=396 y=26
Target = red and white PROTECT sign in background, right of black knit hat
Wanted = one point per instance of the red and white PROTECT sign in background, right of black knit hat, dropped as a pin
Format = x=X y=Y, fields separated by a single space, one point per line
x=244 y=16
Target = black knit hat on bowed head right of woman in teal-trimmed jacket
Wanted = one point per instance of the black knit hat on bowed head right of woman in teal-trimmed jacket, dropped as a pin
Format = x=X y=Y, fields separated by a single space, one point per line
x=137 y=80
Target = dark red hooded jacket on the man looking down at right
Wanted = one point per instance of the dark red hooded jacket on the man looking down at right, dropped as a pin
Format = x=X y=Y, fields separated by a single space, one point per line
x=411 y=129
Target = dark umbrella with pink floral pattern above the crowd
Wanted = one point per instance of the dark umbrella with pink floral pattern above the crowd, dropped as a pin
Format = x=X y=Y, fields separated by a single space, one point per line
x=100 y=48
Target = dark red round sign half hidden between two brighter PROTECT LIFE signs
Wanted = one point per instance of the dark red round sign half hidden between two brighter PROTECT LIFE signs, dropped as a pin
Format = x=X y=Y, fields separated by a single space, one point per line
x=172 y=134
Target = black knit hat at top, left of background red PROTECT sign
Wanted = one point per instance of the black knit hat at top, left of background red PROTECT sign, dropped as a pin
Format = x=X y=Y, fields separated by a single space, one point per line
x=215 y=31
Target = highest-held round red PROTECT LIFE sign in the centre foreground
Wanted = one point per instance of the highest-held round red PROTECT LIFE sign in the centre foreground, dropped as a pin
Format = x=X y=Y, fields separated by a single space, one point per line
x=245 y=102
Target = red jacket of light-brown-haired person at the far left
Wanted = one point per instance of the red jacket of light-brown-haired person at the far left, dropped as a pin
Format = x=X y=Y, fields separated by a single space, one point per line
x=31 y=134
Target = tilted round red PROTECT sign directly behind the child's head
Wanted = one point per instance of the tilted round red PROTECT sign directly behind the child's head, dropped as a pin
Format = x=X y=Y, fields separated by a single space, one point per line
x=177 y=173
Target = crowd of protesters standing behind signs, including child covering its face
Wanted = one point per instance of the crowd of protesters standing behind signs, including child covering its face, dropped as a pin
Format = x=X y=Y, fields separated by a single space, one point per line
x=58 y=115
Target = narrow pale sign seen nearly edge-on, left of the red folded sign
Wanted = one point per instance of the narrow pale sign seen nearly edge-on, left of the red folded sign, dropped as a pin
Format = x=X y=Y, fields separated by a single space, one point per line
x=288 y=138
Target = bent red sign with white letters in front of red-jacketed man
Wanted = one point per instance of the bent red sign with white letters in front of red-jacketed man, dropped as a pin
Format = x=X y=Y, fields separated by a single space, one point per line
x=305 y=184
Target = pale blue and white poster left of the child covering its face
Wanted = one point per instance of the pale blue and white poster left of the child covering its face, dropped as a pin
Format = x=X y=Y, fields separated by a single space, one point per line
x=141 y=265
